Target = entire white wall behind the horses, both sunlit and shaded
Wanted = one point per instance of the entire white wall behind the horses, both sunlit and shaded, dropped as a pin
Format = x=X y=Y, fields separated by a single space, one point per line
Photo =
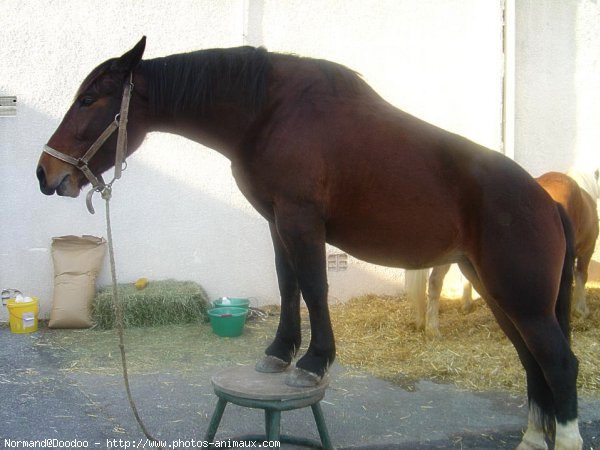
x=177 y=212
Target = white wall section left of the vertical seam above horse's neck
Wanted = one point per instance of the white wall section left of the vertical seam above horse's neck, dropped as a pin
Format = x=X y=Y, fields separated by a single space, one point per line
x=164 y=226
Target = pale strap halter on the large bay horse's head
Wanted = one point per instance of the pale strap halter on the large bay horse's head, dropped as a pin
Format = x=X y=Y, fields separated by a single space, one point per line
x=120 y=123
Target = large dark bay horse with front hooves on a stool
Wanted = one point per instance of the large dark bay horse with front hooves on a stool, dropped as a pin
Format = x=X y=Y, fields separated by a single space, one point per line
x=325 y=159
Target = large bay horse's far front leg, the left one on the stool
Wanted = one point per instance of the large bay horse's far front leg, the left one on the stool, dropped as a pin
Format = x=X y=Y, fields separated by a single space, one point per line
x=287 y=340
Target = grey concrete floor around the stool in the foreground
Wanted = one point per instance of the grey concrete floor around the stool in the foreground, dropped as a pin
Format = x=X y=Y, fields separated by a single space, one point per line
x=42 y=399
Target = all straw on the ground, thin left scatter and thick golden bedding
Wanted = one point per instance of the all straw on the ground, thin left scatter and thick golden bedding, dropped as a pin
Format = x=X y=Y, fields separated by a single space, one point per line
x=373 y=334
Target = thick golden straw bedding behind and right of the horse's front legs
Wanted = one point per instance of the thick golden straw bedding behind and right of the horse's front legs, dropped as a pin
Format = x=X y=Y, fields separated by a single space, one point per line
x=376 y=334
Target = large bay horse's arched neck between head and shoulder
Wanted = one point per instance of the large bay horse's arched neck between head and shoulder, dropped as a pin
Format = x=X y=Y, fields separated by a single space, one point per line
x=203 y=101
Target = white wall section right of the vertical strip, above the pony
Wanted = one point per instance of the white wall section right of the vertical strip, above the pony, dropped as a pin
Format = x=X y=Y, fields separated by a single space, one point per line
x=557 y=98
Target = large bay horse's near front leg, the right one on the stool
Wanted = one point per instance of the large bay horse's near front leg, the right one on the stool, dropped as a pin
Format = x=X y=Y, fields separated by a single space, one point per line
x=302 y=232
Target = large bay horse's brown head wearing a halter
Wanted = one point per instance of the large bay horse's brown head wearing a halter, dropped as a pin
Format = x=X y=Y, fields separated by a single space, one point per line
x=96 y=106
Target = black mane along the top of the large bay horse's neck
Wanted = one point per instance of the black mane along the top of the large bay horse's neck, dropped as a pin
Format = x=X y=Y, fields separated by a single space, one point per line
x=193 y=81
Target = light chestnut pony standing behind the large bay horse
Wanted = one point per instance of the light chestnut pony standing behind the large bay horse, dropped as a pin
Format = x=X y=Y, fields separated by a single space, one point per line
x=581 y=209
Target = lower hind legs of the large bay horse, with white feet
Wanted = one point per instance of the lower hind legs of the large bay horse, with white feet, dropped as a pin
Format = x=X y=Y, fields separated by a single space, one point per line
x=551 y=371
